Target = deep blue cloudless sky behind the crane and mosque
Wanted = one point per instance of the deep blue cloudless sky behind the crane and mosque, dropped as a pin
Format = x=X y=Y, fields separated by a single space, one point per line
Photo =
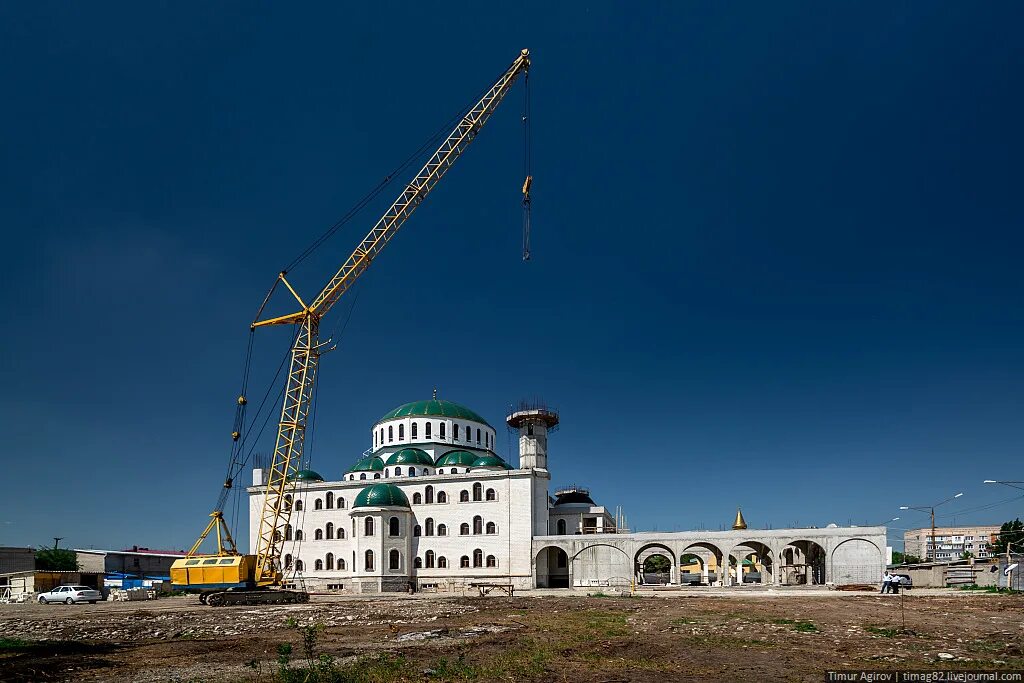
x=777 y=249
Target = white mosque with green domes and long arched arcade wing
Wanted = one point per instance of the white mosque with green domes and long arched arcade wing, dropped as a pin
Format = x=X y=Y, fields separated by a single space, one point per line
x=432 y=505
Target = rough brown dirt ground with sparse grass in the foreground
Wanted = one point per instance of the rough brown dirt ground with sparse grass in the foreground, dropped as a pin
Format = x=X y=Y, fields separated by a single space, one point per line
x=682 y=636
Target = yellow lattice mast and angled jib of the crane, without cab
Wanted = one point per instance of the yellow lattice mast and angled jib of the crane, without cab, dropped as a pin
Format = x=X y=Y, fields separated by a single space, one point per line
x=306 y=352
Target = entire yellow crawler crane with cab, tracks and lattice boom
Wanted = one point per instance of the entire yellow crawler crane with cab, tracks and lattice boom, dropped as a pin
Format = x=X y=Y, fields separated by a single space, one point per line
x=229 y=577
